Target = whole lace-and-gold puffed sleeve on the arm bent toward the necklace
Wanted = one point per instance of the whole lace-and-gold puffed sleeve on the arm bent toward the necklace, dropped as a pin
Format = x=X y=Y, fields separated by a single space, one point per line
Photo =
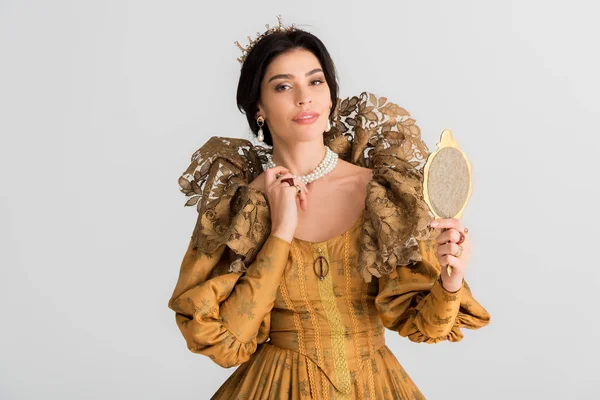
x=230 y=273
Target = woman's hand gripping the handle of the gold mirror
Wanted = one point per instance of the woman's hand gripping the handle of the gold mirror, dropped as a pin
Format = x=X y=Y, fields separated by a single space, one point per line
x=447 y=247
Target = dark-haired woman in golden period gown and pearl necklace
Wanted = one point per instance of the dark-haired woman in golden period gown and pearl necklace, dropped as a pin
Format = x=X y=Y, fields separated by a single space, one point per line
x=302 y=254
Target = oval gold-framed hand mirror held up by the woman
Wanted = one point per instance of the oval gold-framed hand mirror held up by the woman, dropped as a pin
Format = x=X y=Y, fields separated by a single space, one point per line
x=447 y=180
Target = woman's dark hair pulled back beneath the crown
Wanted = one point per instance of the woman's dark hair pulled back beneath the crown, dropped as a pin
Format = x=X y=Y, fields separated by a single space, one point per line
x=259 y=58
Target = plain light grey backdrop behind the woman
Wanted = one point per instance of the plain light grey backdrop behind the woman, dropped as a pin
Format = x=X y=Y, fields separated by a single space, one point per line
x=102 y=103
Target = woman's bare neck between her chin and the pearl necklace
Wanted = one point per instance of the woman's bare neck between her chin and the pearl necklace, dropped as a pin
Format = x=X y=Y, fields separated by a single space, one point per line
x=300 y=158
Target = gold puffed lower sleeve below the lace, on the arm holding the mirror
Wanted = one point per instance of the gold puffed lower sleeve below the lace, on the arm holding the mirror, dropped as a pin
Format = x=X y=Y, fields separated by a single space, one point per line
x=413 y=302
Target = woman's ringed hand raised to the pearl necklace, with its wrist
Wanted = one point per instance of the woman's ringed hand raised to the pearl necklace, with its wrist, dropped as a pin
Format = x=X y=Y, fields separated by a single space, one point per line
x=284 y=202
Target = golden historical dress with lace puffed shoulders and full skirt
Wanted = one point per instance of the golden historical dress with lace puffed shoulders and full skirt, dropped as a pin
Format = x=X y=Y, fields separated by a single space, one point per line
x=246 y=297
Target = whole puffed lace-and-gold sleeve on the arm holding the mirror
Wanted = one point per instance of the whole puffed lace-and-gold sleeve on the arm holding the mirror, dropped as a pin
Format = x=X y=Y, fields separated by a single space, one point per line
x=397 y=245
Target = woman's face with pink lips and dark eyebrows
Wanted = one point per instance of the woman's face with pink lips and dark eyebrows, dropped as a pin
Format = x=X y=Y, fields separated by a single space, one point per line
x=294 y=83
